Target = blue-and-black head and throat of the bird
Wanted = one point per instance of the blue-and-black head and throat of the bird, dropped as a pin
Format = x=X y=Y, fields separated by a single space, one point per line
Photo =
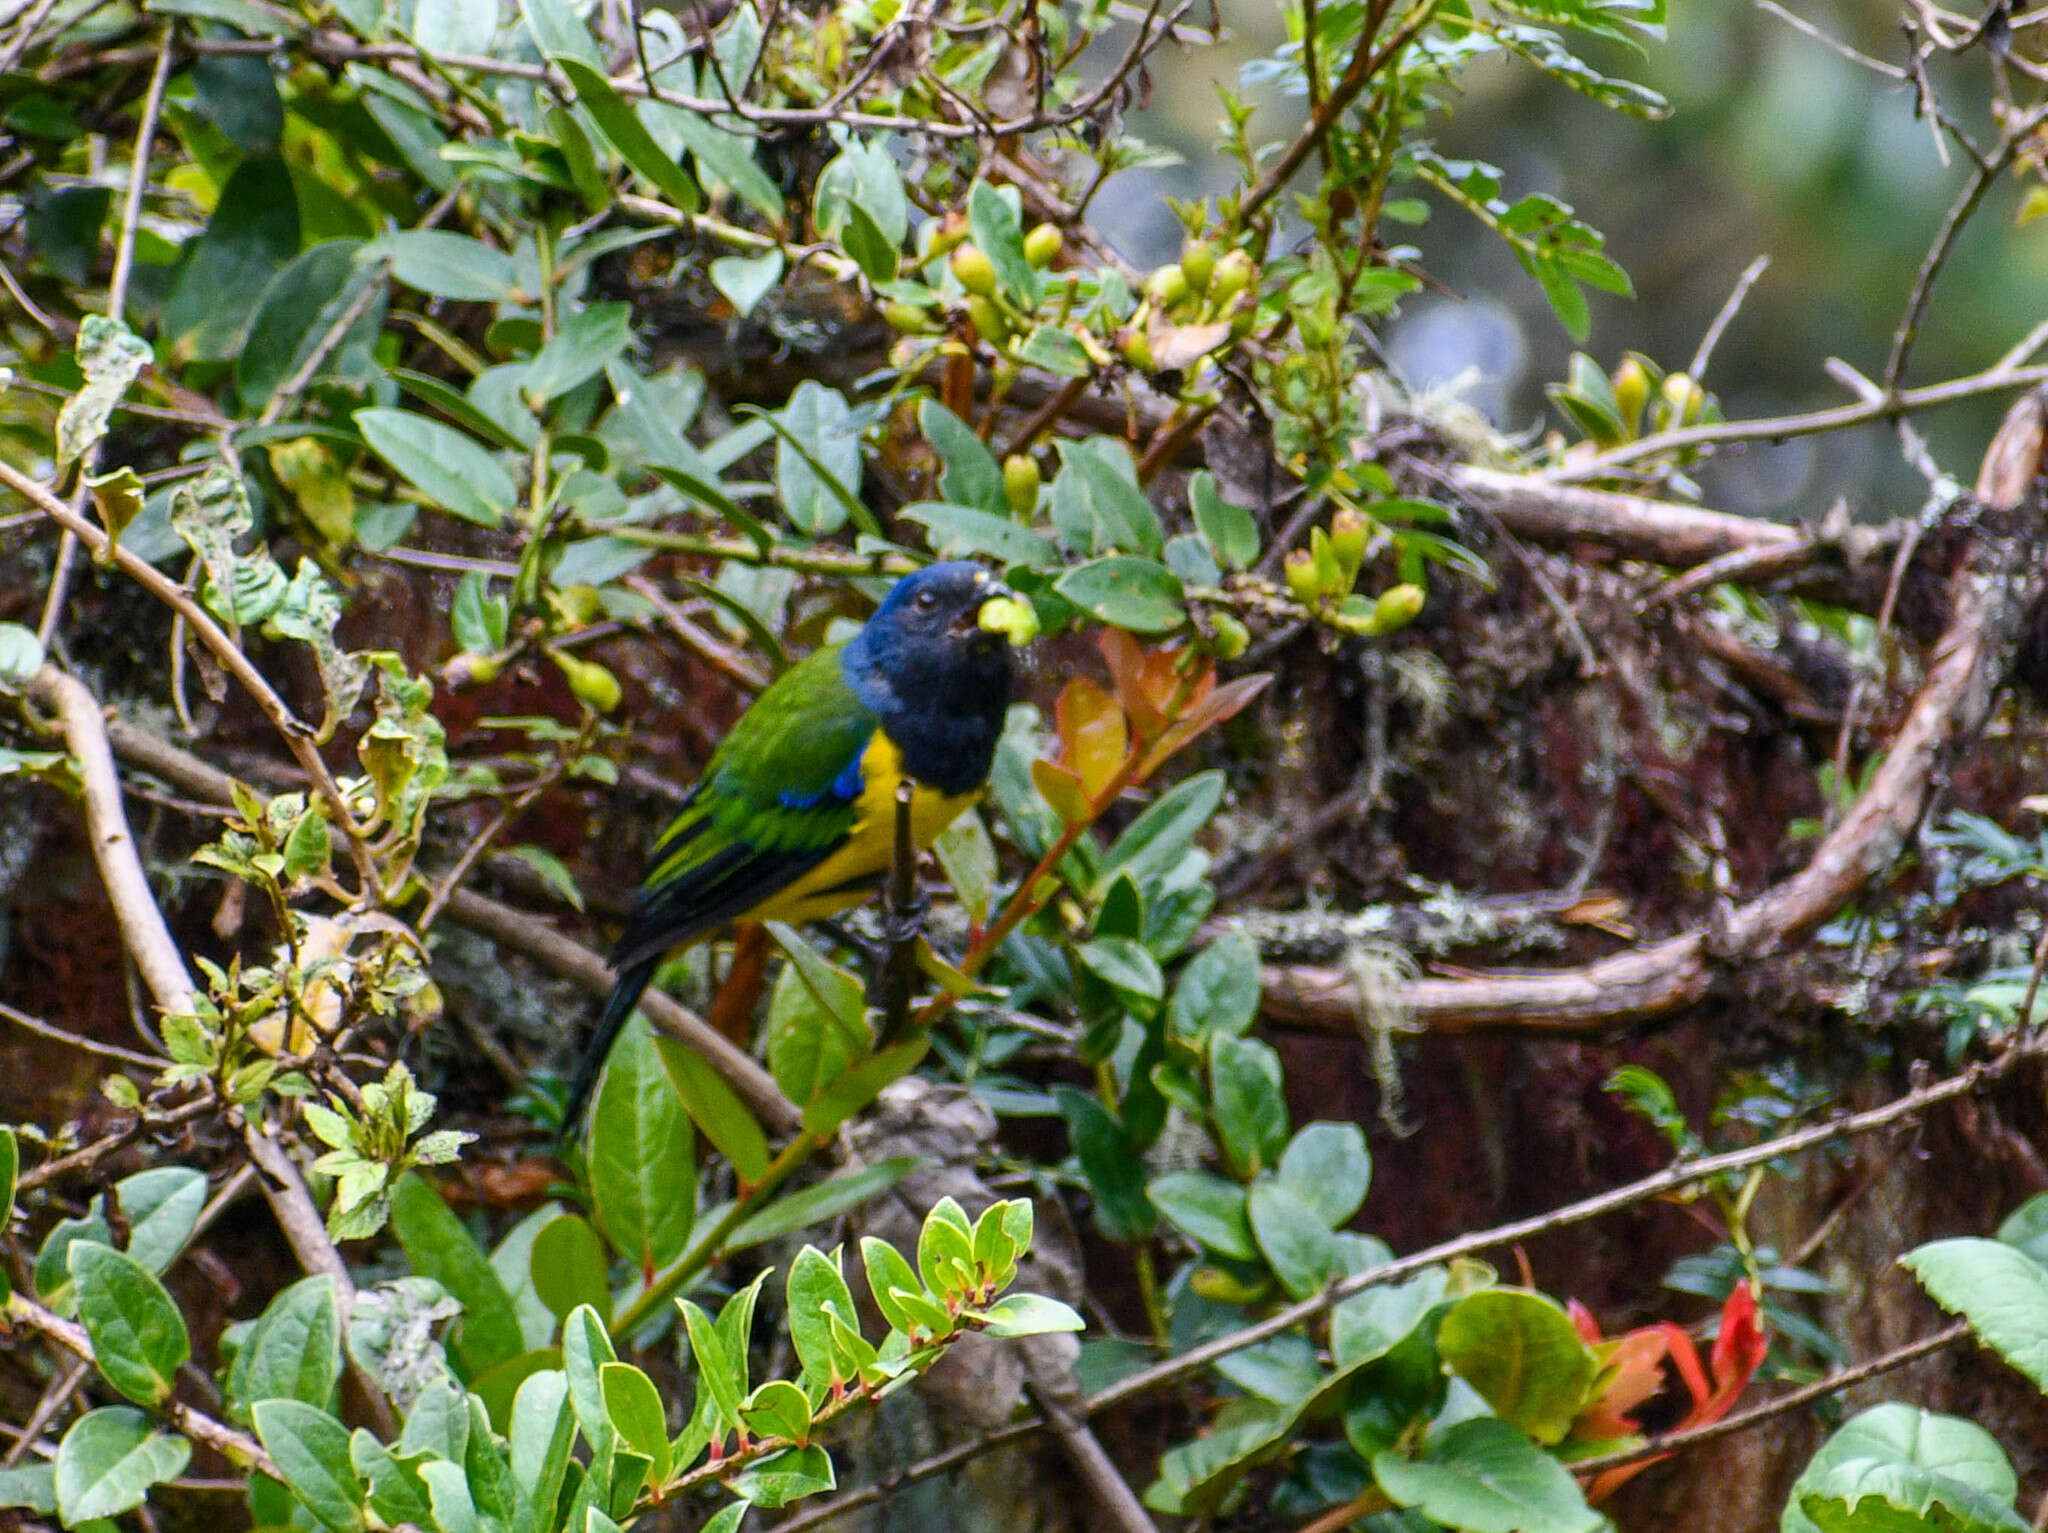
x=937 y=681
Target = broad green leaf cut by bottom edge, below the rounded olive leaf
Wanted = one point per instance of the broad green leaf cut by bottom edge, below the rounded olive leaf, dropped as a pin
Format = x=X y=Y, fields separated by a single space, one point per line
x=1486 y=1477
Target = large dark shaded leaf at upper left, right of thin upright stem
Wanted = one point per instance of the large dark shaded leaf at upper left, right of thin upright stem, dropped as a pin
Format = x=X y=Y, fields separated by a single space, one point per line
x=253 y=232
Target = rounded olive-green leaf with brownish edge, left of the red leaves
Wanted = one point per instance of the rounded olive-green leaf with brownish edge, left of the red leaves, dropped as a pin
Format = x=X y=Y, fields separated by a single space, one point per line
x=1525 y=1358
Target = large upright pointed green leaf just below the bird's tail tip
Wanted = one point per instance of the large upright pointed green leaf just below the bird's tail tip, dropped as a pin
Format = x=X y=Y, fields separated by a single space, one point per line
x=642 y=1155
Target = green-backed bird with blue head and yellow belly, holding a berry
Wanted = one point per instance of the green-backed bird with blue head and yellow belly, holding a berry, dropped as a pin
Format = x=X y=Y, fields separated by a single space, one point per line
x=794 y=818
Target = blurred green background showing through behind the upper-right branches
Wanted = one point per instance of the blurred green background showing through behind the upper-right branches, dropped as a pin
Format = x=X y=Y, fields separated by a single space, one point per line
x=1777 y=146
